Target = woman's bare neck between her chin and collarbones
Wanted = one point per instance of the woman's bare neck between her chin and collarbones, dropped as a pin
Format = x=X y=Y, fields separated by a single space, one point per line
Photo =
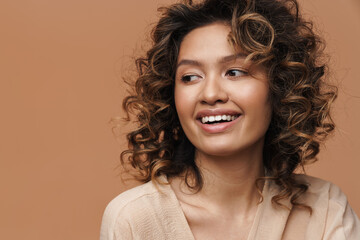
x=229 y=182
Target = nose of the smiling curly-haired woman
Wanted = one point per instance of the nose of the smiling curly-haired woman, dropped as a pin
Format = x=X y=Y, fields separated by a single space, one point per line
x=213 y=91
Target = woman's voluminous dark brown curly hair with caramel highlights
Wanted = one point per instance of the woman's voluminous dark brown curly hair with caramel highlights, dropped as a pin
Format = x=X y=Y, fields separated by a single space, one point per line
x=271 y=33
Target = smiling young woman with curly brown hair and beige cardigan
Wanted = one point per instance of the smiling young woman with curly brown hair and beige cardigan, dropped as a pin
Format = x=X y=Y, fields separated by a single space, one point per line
x=230 y=101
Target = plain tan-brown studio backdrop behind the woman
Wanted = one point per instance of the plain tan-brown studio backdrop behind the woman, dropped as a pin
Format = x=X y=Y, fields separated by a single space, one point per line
x=60 y=68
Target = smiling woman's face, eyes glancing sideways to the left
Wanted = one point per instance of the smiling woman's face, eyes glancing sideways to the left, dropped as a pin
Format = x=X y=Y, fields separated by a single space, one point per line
x=222 y=109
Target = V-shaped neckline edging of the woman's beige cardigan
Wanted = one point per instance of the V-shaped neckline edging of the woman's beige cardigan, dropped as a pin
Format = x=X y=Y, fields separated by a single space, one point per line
x=181 y=215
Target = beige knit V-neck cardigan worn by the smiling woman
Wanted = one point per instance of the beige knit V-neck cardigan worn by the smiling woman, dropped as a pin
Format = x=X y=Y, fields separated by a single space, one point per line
x=144 y=213
